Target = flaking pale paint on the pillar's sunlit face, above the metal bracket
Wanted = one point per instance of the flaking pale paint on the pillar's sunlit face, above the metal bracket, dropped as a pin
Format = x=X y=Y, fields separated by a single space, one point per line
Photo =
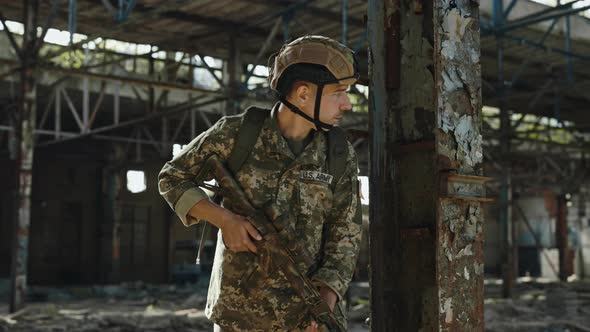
x=459 y=87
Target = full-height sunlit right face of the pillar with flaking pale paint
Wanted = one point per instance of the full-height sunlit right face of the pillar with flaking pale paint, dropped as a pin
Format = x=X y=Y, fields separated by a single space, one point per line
x=459 y=151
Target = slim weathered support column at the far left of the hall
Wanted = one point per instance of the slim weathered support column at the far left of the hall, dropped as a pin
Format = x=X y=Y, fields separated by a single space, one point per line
x=24 y=129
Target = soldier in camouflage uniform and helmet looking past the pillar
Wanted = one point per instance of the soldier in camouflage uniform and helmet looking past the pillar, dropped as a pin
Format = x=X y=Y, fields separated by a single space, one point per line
x=287 y=166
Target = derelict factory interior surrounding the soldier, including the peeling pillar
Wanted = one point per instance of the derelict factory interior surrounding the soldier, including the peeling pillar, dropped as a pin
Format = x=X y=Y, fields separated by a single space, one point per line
x=470 y=120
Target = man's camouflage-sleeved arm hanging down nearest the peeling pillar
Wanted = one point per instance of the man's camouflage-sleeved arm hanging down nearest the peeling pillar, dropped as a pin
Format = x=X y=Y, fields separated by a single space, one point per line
x=342 y=232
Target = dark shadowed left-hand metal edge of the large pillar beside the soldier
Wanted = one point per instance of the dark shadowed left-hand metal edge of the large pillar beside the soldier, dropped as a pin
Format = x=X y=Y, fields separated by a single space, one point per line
x=384 y=234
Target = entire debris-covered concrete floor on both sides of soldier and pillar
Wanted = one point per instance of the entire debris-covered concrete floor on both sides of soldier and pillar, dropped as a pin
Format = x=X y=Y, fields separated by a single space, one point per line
x=536 y=306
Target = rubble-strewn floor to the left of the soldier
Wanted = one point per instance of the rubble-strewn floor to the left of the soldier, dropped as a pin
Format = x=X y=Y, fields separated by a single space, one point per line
x=128 y=307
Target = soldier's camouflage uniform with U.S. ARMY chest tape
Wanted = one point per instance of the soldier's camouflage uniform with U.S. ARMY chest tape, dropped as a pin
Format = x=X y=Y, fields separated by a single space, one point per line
x=241 y=296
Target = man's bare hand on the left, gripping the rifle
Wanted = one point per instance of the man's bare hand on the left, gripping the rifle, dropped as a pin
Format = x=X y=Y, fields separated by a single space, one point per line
x=238 y=233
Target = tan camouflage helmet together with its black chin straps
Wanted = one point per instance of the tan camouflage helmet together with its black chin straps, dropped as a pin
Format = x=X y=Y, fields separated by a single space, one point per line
x=315 y=59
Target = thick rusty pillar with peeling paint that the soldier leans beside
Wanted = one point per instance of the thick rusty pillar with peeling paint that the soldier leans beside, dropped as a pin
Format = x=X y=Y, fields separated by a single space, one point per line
x=426 y=178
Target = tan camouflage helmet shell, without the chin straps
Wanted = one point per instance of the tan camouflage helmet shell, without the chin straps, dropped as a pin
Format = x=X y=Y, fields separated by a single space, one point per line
x=338 y=60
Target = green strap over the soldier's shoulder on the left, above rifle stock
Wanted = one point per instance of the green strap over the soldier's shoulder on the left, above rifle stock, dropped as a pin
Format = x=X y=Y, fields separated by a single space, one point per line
x=247 y=135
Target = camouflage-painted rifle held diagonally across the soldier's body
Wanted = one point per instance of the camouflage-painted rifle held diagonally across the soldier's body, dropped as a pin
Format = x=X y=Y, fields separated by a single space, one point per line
x=277 y=248
